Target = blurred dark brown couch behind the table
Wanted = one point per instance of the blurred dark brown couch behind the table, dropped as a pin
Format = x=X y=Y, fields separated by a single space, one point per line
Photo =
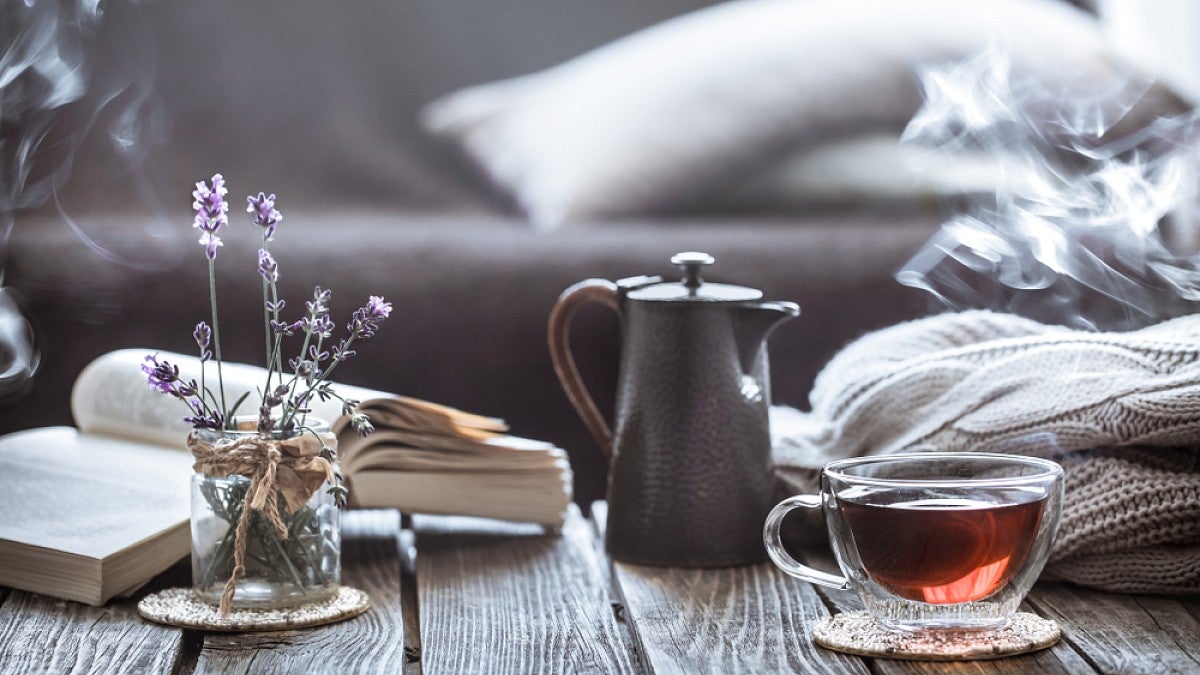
x=316 y=101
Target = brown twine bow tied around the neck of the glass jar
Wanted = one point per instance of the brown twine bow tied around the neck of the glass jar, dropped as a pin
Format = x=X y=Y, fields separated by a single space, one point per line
x=290 y=468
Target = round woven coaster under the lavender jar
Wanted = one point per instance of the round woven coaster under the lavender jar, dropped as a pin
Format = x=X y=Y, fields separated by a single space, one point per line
x=184 y=608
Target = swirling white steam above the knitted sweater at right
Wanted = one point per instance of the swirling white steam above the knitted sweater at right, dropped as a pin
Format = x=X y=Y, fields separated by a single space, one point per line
x=1093 y=223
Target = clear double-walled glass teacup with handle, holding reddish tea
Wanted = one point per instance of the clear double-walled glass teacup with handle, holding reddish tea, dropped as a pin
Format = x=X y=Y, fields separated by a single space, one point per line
x=933 y=541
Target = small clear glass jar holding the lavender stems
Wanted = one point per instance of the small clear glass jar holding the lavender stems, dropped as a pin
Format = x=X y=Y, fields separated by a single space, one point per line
x=280 y=571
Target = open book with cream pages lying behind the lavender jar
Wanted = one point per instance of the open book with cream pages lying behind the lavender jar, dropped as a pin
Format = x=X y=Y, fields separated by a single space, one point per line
x=95 y=512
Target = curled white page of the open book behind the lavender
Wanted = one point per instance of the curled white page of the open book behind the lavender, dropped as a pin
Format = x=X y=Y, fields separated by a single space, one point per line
x=112 y=398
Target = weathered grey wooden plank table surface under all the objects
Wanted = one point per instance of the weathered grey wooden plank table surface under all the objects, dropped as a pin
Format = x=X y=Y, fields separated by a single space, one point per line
x=470 y=596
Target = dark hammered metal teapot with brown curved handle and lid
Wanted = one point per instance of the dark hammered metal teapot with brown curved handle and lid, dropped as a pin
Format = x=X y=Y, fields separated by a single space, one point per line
x=691 y=480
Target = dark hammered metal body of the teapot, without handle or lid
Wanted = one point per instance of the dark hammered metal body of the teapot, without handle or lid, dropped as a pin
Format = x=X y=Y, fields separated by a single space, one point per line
x=692 y=477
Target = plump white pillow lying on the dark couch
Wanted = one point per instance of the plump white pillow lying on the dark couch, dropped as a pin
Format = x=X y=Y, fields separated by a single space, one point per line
x=673 y=114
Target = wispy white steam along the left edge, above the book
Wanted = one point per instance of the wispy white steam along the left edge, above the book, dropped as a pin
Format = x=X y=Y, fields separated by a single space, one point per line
x=53 y=91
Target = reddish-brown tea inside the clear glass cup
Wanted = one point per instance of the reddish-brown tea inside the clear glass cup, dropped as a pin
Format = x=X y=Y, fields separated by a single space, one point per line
x=943 y=551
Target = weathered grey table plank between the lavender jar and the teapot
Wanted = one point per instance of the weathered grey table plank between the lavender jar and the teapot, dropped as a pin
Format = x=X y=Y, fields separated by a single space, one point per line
x=511 y=599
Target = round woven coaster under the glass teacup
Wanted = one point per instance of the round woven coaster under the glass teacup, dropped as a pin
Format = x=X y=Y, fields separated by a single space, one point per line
x=857 y=634
